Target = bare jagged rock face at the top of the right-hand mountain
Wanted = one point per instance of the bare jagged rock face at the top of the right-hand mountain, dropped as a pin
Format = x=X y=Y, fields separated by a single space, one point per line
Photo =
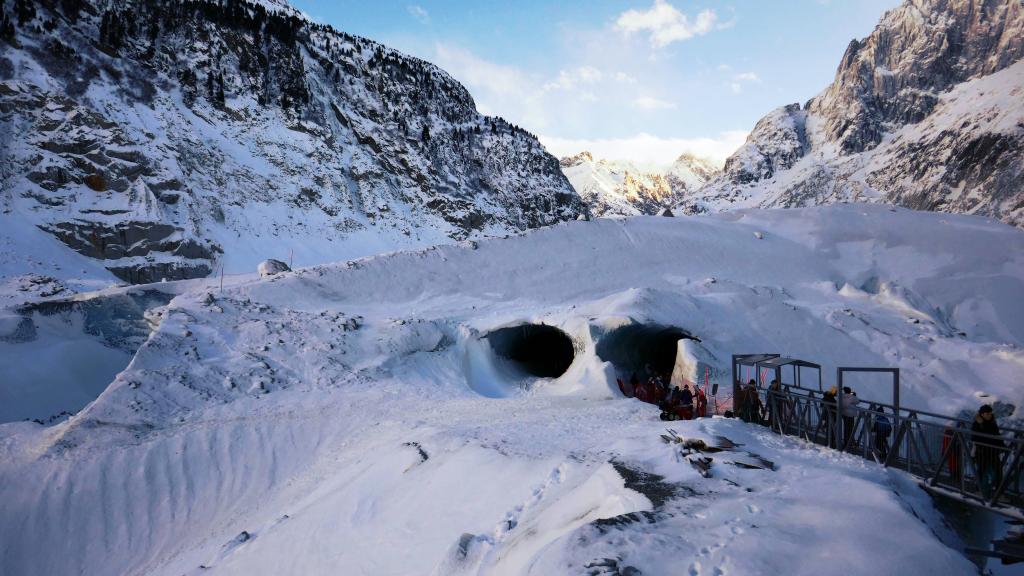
x=917 y=52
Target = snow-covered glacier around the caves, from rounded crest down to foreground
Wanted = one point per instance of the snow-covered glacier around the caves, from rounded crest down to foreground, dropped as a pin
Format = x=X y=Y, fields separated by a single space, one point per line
x=367 y=418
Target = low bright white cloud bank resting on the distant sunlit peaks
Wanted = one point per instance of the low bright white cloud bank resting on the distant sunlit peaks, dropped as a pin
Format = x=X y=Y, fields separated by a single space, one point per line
x=646 y=148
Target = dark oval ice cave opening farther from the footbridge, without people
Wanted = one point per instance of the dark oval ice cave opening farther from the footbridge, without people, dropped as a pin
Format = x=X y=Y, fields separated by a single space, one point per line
x=537 y=350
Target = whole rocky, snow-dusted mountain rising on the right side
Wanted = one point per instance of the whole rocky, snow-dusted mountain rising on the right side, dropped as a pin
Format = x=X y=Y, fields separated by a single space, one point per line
x=927 y=112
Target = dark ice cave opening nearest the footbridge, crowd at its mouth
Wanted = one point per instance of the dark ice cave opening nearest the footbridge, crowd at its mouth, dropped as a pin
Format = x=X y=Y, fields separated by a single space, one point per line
x=635 y=347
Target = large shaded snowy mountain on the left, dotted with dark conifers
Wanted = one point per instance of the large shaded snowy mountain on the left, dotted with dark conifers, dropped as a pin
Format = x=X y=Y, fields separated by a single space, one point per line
x=163 y=139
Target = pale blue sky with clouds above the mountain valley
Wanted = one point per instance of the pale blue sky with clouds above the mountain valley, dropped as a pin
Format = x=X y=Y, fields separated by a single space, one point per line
x=643 y=80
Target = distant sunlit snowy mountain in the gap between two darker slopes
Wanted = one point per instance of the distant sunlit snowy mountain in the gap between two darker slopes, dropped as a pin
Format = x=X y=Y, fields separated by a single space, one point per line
x=614 y=188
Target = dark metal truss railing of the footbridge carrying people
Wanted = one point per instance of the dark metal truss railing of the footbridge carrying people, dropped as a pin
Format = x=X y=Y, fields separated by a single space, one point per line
x=942 y=450
